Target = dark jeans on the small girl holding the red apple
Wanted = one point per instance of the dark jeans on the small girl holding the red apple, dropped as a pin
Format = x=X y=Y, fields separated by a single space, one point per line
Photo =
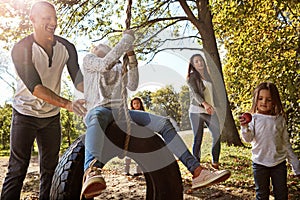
x=262 y=177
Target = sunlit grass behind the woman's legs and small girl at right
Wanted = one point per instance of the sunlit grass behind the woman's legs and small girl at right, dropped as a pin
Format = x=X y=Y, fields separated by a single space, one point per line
x=238 y=161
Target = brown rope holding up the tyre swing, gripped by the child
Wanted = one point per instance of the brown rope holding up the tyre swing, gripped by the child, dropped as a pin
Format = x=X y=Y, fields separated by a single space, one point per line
x=124 y=83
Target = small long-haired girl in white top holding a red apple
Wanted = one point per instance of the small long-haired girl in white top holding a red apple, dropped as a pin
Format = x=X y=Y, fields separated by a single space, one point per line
x=269 y=139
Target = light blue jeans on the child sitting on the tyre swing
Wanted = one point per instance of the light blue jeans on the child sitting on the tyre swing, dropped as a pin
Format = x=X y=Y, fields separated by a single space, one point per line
x=99 y=118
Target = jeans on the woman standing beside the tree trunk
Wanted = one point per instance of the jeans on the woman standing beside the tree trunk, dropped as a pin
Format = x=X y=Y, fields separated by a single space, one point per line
x=211 y=121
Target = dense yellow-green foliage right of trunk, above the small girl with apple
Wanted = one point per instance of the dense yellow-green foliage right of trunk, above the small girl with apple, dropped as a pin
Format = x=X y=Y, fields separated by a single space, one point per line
x=262 y=43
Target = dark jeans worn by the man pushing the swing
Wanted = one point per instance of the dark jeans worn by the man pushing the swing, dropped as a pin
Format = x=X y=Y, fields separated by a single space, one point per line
x=24 y=130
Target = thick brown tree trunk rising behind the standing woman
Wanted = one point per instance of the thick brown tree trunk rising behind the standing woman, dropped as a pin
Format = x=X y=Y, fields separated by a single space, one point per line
x=204 y=25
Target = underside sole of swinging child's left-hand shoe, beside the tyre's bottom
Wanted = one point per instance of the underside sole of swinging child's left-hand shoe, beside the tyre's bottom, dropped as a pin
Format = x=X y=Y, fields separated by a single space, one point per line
x=93 y=188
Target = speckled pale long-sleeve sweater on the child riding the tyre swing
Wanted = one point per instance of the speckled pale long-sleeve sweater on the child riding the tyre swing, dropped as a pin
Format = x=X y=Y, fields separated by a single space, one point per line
x=102 y=87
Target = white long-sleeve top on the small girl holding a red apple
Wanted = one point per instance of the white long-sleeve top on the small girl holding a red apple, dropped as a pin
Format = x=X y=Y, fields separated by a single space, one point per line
x=269 y=139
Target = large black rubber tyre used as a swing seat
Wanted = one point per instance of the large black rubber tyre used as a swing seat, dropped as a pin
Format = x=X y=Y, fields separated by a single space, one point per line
x=163 y=183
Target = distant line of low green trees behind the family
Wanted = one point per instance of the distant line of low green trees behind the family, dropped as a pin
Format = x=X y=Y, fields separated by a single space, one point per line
x=164 y=101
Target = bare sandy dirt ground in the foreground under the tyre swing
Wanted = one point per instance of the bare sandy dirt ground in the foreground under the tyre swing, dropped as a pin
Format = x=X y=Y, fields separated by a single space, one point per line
x=120 y=186
